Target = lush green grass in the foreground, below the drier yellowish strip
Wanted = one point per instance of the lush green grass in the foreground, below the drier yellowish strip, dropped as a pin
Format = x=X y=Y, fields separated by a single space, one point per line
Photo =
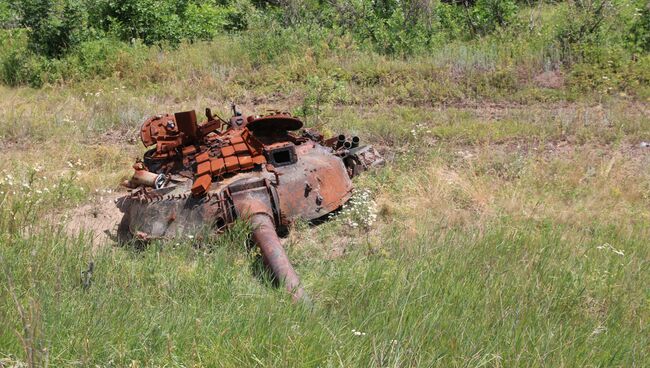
x=516 y=292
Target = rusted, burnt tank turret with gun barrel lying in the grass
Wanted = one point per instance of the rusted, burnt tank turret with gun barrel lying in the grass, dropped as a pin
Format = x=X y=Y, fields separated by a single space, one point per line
x=265 y=169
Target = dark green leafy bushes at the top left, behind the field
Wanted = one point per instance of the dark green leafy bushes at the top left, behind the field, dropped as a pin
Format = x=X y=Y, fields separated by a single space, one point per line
x=57 y=26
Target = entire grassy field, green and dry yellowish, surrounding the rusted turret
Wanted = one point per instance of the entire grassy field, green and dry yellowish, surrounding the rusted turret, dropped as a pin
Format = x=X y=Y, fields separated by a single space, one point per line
x=512 y=220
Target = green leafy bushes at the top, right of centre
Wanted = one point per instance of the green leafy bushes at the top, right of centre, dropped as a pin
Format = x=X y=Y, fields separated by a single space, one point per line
x=412 y=27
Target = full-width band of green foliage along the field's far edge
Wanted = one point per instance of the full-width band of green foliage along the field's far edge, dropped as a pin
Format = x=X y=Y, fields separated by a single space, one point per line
x=64 y=37
